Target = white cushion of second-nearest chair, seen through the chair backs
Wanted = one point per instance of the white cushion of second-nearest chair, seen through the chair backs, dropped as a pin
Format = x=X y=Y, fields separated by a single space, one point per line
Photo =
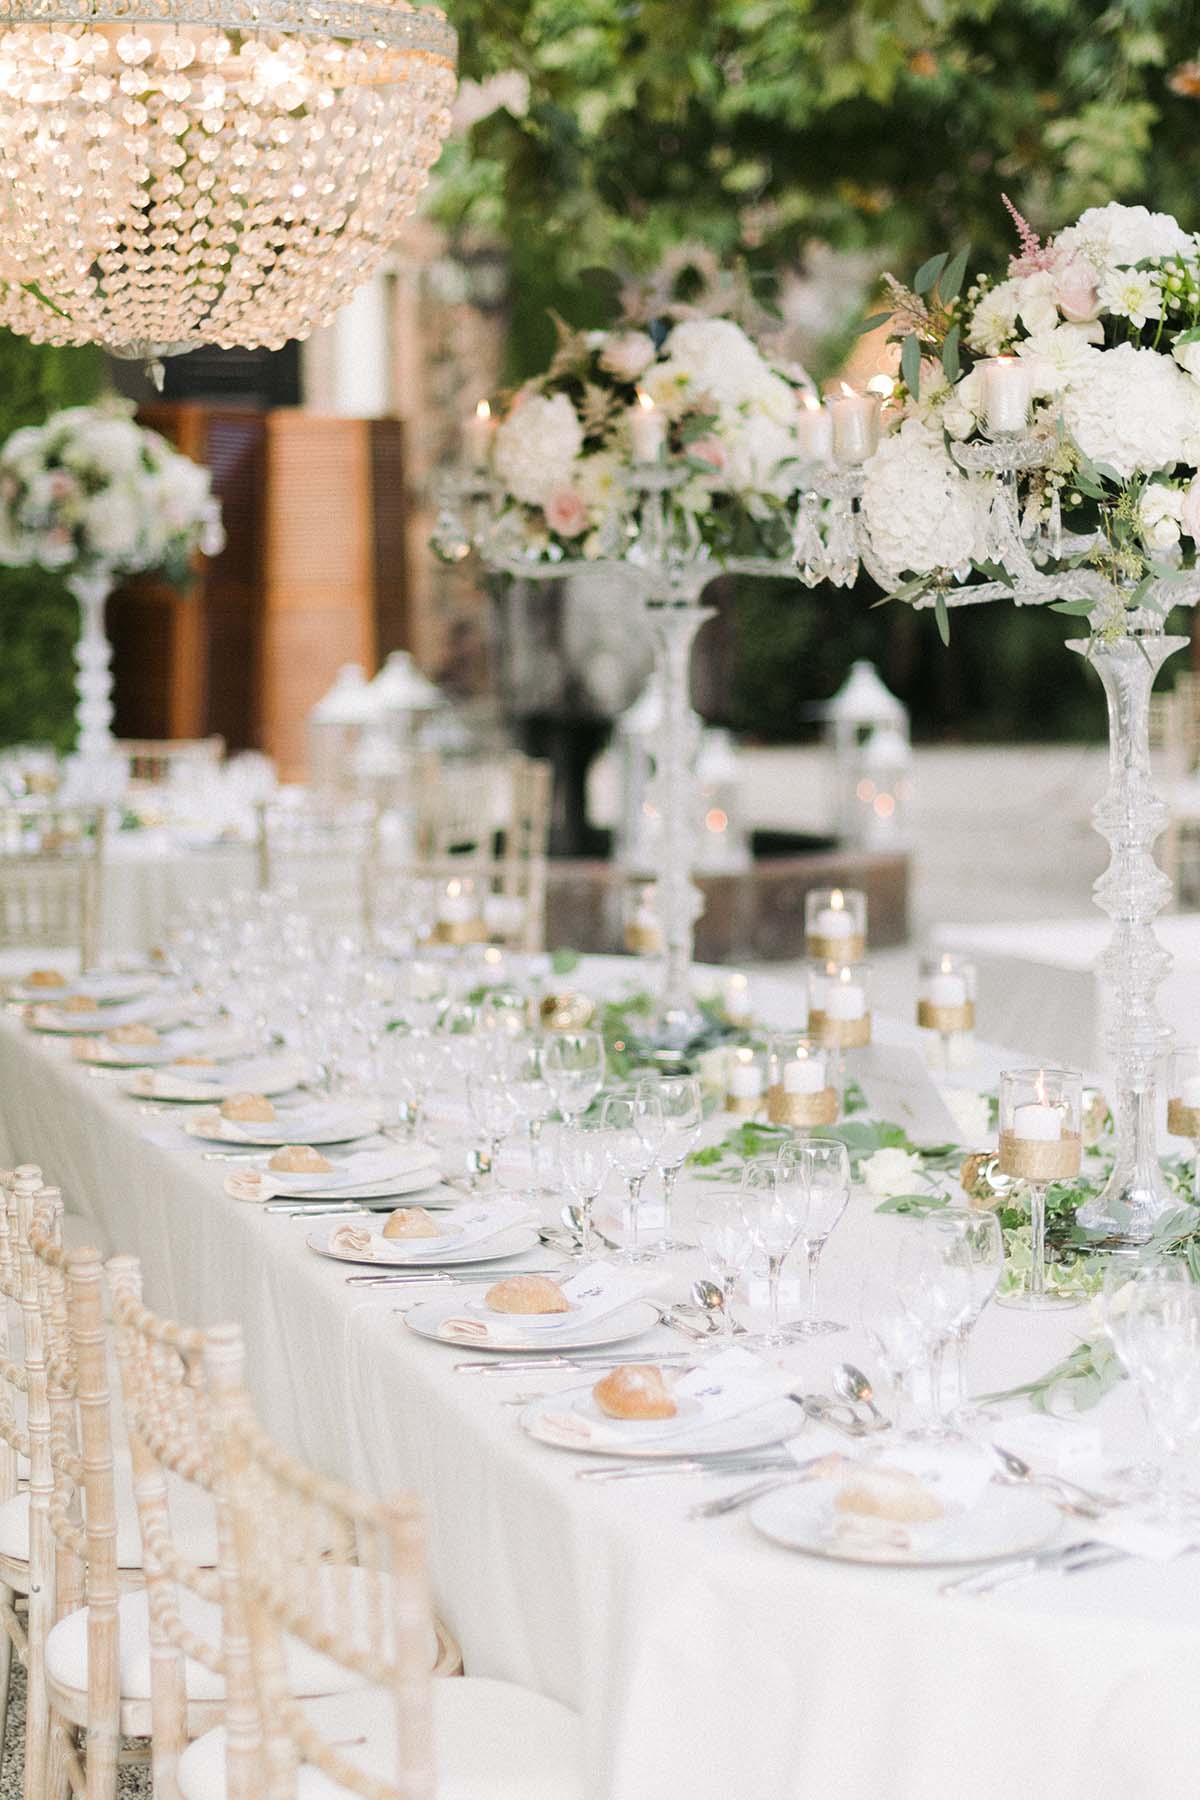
x=310 y=1673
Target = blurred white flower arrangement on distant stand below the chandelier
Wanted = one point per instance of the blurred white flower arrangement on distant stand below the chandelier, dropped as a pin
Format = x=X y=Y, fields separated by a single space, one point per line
x=94 y=492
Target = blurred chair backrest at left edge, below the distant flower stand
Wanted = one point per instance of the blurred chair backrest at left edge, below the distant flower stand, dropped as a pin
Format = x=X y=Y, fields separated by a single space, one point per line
x=51 y=879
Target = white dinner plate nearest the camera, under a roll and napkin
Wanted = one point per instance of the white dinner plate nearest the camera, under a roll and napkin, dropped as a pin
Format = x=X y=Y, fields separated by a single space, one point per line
x=1005 y=1522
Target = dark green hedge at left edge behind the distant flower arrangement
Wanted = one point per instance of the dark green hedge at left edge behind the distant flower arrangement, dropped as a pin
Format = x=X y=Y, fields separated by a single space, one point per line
x=39 y=618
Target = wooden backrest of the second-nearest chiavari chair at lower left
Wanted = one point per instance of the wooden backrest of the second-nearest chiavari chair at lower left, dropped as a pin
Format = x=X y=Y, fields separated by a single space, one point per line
x=172 y=1432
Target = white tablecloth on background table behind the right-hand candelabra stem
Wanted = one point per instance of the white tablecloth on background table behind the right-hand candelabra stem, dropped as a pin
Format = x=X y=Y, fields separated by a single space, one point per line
x=1039 y=984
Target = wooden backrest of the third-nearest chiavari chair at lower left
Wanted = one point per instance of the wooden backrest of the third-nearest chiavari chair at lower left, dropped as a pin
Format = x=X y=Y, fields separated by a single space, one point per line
x=73 y=1504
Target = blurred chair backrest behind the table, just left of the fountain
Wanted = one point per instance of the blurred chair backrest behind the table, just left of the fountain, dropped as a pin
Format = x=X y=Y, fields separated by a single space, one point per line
x=490 y=820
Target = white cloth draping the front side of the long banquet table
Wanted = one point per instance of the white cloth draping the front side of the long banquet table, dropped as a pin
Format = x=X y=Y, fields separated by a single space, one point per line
x=708 y=1664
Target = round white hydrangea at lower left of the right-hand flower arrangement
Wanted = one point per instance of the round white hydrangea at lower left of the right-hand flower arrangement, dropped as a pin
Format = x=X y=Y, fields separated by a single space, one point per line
x=922 y=510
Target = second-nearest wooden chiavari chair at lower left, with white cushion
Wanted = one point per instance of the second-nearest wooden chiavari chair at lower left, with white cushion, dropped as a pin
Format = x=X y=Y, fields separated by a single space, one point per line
x=172 y=1437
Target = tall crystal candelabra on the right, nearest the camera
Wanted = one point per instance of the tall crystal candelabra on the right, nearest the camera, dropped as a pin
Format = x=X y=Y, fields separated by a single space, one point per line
x=1127 y=651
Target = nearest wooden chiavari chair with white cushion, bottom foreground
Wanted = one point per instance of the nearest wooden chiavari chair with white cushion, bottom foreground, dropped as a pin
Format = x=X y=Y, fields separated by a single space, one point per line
x=400 y=1736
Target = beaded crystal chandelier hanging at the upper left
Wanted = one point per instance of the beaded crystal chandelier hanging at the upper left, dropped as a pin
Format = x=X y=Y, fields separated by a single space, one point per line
x=181 y=174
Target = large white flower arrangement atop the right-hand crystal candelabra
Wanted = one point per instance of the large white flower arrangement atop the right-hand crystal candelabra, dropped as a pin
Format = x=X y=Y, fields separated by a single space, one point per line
x=1100 y=334
